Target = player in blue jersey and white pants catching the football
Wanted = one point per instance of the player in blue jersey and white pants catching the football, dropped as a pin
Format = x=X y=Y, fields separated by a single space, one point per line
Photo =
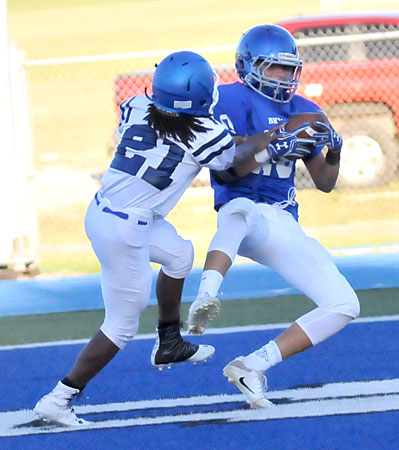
x=258 y=214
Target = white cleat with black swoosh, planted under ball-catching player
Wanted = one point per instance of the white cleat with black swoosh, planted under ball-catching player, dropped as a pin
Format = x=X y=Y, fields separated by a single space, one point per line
x=252 y=383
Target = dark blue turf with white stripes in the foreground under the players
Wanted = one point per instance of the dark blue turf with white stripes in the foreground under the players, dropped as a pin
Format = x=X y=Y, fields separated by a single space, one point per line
x=363 y=352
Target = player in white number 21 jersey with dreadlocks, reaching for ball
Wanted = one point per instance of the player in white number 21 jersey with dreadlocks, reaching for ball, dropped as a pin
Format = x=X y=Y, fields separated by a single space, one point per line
x=165 y=140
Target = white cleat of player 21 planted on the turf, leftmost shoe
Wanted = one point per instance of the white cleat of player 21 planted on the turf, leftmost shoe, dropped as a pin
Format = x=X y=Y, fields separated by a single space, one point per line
x=55 y=407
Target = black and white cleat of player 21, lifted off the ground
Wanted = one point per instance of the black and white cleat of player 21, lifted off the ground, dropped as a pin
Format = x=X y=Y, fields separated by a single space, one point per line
x=170 y=348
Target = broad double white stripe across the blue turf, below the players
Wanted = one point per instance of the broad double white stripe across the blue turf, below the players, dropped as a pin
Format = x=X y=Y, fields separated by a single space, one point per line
x=331 y=399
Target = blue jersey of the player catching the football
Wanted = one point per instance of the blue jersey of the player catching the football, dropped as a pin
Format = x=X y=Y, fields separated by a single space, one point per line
x=244 y=111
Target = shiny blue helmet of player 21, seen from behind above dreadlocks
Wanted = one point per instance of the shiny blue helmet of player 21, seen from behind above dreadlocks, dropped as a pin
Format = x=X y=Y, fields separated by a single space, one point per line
x=185 y=83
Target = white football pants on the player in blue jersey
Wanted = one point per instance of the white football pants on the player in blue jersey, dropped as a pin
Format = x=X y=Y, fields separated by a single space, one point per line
x=272 y=237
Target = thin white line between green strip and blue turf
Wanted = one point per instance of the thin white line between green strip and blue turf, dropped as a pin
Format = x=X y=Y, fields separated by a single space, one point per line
x=241 y=329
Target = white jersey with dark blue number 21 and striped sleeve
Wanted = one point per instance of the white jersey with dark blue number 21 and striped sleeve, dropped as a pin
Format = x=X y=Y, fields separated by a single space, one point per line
x=152 y=173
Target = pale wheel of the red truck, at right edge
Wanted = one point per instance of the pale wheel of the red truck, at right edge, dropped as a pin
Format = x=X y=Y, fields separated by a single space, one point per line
x=369 y=155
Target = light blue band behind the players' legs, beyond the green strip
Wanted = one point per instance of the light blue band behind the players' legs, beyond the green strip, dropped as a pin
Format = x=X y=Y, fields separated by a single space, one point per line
x=37 y=296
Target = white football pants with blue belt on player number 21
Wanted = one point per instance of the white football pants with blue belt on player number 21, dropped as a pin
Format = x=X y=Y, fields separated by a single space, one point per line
x=125 y=248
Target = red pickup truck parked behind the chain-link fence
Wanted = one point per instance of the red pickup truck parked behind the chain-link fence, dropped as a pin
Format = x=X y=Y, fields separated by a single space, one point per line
x=351 y=69
